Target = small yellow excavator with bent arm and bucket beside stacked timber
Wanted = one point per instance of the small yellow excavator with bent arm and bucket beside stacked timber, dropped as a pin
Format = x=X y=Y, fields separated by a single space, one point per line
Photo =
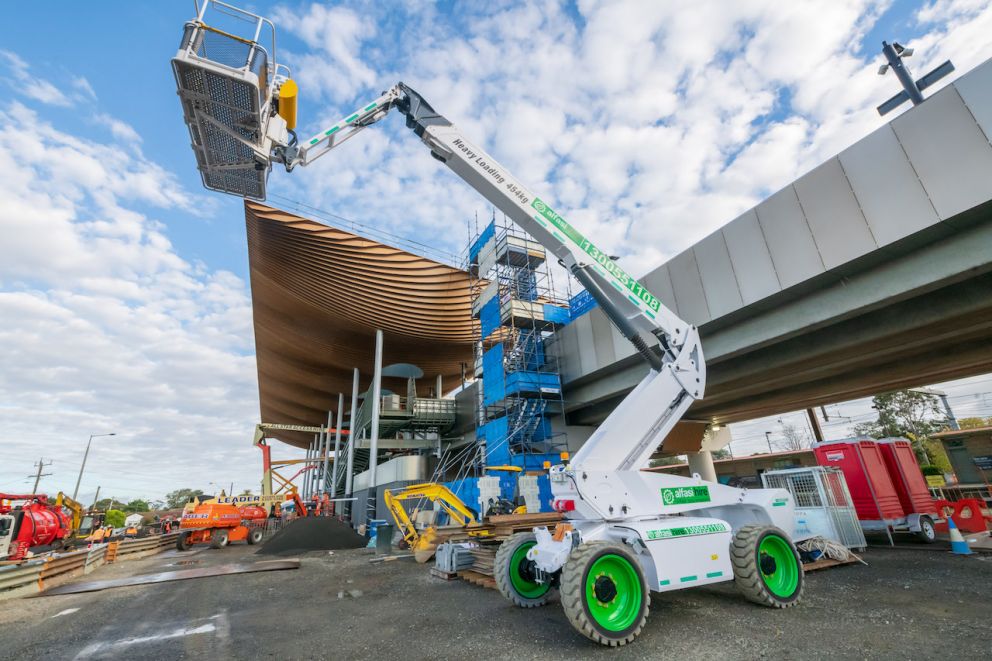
x=424 y=543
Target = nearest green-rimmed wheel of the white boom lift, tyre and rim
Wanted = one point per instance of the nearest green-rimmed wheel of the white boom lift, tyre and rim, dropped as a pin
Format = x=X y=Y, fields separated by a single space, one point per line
x=604 y=593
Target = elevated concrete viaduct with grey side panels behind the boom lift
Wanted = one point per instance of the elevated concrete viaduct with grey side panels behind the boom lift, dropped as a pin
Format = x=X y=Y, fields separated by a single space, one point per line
x=870 y=273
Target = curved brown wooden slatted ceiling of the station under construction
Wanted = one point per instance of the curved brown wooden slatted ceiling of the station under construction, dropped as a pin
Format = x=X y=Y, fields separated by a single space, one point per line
x=318 y=295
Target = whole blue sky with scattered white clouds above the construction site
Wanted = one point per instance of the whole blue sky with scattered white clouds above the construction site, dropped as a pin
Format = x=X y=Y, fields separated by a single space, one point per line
x=123 y=284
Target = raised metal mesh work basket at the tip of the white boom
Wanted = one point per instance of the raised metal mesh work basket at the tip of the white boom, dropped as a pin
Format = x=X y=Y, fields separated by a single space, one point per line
x=227 y=83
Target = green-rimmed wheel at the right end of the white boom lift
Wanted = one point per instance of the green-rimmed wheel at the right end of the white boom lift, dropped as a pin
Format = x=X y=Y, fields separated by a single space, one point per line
x=767 y=568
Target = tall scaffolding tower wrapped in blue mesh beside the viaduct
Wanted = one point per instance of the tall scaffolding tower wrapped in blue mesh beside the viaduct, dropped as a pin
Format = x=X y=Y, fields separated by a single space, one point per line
x=518 y=307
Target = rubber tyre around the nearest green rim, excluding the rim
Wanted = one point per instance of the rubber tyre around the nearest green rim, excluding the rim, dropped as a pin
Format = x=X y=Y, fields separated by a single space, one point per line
x=573 y=594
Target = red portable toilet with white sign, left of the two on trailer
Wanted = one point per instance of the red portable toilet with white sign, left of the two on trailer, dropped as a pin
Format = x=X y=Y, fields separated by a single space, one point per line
x=875 y=496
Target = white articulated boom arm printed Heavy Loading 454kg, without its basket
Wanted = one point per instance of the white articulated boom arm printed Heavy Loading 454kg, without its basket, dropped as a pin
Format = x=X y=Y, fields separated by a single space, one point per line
x=626 y=440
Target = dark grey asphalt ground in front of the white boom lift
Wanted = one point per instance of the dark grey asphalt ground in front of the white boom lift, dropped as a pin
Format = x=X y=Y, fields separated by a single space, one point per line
x=908 y=604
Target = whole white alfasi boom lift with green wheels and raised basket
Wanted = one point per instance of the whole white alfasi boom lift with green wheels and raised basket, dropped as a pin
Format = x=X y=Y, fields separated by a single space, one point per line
x=627 y=531
